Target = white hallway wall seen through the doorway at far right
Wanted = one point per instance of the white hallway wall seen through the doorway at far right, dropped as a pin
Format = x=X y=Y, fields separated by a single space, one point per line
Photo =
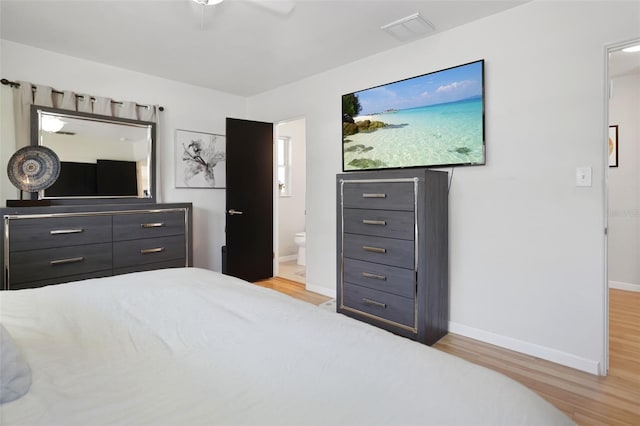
x=624 y=186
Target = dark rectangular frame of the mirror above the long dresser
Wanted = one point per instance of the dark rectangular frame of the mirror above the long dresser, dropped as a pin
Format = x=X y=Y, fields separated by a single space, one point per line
x=36 y=139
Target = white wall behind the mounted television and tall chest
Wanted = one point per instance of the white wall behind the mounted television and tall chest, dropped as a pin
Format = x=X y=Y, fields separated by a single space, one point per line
x=526 y=245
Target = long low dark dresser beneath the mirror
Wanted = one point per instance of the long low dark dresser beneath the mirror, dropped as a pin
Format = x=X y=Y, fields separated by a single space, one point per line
x=56 y=244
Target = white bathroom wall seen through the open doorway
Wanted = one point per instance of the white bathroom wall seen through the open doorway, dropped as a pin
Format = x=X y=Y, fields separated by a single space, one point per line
x=291 y=215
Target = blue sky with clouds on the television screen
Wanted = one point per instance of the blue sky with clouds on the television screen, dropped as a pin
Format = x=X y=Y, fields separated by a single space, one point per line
x=449 y=85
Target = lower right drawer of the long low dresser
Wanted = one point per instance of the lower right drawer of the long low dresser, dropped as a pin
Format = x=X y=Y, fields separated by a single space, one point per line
x=149 y=250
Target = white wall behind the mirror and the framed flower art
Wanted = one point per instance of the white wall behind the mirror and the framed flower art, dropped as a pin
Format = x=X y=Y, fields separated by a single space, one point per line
x=186 y=107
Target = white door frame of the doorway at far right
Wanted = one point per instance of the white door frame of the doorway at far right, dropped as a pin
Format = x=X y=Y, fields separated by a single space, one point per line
x=608 y=48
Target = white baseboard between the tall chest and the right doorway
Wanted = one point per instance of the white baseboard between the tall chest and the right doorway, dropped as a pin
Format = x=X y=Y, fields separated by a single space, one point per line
x=549 y=354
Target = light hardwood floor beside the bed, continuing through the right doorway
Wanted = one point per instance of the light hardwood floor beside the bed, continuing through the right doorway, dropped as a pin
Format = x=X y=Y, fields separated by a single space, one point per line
x=588 y=399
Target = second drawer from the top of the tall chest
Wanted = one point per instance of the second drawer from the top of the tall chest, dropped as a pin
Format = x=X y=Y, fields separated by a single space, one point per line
x=383 y=223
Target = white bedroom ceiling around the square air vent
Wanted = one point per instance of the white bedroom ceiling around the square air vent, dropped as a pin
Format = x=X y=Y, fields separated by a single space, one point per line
x=236 y=47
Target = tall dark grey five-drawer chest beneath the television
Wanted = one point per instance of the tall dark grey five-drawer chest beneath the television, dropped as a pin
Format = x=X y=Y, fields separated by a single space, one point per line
x=392 y=251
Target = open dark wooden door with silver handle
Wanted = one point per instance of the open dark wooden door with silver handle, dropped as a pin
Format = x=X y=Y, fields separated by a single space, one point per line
x=249 y=210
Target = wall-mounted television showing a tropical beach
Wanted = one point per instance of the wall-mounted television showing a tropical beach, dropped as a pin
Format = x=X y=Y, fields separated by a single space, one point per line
x=431 y=120
